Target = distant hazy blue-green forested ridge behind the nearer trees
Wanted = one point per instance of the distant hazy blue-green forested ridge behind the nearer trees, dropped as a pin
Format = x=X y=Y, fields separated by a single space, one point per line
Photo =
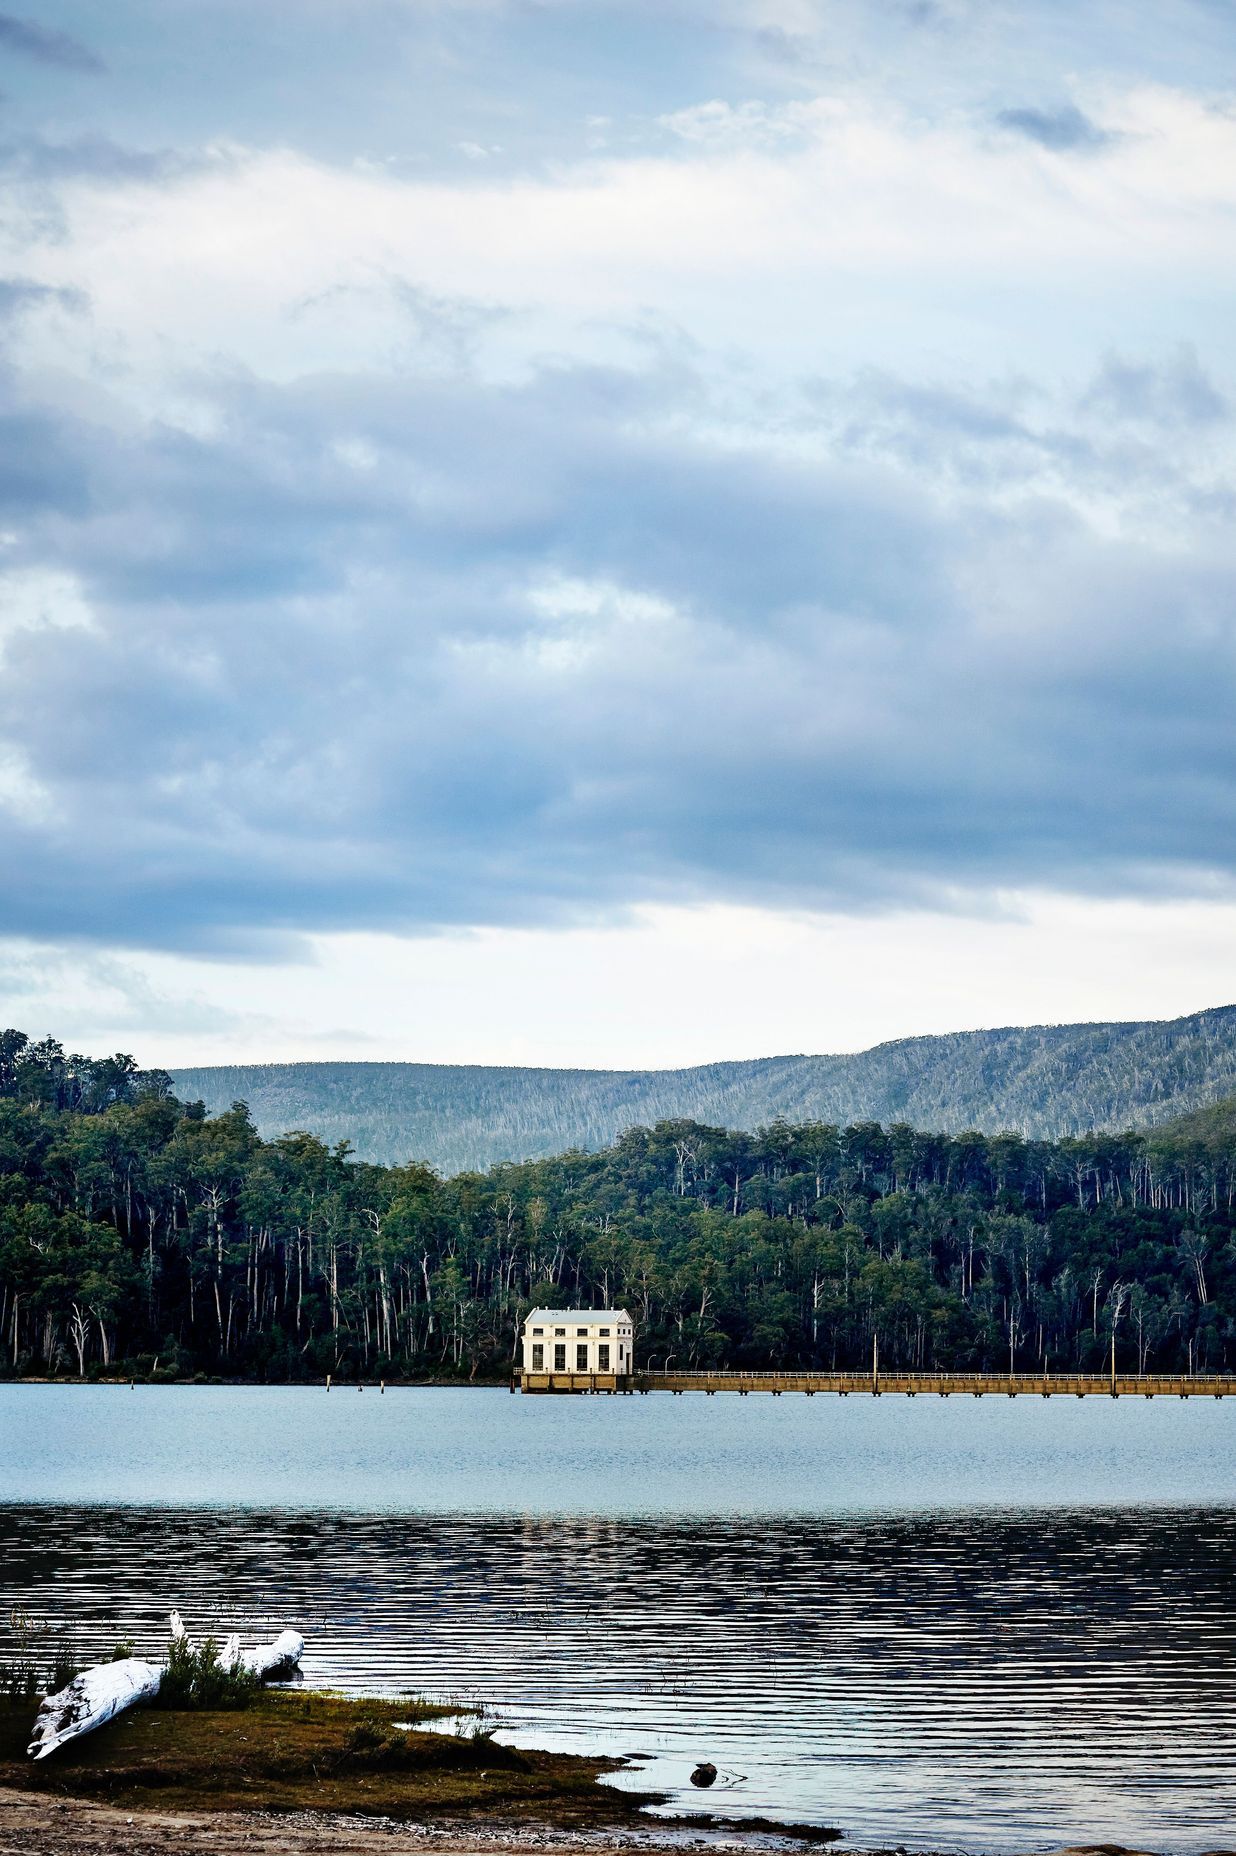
x=1044 y=1081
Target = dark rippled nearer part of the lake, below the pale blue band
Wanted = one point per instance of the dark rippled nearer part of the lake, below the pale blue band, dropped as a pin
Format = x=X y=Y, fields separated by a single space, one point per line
x=973 y=1679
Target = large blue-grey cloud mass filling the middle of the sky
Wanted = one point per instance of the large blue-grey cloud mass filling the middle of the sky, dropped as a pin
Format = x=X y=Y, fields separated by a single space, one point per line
x=411 y=652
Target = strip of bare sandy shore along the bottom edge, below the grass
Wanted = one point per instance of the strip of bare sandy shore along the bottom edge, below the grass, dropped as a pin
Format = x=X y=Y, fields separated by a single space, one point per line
x=79 y=1827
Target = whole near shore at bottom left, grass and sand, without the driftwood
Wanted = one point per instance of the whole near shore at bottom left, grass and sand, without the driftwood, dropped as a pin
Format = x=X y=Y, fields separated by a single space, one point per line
x=318 y=1775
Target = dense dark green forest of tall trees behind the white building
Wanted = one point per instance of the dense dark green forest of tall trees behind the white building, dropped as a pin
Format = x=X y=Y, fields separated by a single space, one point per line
x=142 y=1235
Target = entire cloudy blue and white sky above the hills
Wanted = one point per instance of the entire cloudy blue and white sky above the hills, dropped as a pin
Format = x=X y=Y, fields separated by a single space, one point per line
x=619 y=534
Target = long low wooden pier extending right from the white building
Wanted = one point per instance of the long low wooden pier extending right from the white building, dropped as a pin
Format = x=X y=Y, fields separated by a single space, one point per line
x=879 y=1384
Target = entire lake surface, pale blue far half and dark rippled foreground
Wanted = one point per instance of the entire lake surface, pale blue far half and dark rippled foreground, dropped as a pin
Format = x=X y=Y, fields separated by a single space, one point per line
x=933 y=1623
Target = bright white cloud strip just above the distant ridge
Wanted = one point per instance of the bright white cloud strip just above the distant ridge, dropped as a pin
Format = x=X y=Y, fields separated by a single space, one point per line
x=675 y=986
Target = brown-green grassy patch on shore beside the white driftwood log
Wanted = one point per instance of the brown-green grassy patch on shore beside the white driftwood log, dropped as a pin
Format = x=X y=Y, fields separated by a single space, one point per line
x=300 y=1751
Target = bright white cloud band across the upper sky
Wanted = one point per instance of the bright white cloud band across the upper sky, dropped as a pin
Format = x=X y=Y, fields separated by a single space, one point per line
x=864 y=220
